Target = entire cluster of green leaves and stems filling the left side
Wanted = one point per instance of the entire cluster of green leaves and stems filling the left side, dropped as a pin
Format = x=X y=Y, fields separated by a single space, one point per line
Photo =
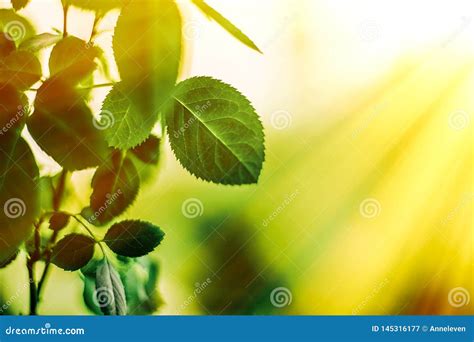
x=213 y=130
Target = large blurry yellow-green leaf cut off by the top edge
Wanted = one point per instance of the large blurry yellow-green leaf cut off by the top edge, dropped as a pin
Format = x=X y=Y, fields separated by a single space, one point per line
x=147 y=49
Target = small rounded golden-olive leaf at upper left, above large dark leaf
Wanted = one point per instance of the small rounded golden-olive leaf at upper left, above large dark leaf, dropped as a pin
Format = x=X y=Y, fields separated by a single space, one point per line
x=72 y=59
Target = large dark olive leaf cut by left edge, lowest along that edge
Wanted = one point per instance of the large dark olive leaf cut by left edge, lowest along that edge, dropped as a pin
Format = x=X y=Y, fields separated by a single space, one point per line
x=18 y=192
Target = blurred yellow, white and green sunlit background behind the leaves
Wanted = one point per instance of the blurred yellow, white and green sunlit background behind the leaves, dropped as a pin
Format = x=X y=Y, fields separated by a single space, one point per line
x=365 y=203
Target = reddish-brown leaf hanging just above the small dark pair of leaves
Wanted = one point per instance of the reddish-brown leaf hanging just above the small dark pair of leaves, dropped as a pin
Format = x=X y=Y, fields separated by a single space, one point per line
x=115 y=186
